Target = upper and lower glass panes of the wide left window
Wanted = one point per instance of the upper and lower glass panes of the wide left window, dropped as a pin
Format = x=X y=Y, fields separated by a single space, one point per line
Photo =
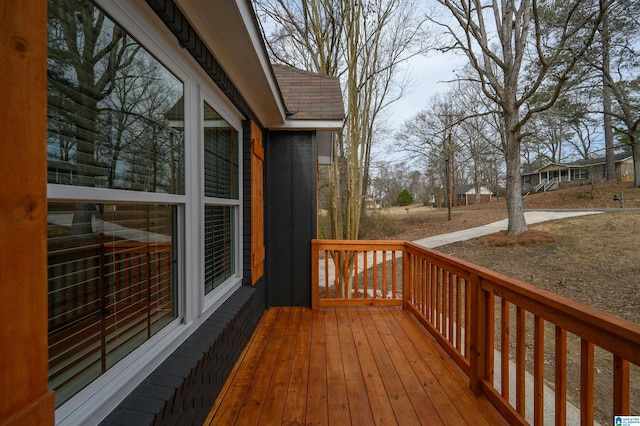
x=115 y=121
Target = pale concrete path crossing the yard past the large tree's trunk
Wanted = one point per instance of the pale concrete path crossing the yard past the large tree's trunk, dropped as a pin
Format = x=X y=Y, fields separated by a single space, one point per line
x=532 y=217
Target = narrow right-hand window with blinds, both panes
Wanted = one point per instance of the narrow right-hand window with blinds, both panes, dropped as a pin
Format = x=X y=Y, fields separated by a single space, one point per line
x=221 y=177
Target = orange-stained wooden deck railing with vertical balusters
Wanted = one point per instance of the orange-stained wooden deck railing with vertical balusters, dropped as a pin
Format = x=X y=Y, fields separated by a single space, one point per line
x=467 y=310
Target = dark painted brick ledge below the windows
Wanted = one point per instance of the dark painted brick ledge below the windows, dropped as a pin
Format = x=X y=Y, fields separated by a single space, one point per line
x=184 y=387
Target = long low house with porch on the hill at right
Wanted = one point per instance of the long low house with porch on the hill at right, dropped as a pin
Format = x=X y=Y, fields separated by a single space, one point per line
x=547 y=177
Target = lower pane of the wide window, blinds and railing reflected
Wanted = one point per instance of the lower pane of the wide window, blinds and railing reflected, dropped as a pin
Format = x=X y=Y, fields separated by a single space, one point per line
x=112 y=286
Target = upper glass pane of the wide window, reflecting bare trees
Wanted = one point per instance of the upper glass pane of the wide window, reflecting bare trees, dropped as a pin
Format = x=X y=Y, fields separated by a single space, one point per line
x=115 y=113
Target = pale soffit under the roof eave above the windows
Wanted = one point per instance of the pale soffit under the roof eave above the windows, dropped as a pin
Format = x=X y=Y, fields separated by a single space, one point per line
x=228 y=29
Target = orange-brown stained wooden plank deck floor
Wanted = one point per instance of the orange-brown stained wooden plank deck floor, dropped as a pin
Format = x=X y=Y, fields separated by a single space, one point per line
x=347 y=366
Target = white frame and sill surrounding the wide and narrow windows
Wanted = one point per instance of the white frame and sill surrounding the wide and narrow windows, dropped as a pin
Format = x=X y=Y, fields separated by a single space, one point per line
x=99 y=398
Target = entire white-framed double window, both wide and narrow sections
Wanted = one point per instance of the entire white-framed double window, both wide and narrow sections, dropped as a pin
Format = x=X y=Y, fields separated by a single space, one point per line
x=125 y=162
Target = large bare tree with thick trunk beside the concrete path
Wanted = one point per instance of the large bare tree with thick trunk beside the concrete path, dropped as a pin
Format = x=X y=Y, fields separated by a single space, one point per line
x=502 y=37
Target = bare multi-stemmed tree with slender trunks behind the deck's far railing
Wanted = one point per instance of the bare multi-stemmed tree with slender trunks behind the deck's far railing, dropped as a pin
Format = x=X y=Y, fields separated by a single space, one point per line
x=365 y=43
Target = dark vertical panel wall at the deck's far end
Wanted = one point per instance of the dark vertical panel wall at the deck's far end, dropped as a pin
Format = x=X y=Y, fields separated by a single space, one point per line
x=291 y=217
